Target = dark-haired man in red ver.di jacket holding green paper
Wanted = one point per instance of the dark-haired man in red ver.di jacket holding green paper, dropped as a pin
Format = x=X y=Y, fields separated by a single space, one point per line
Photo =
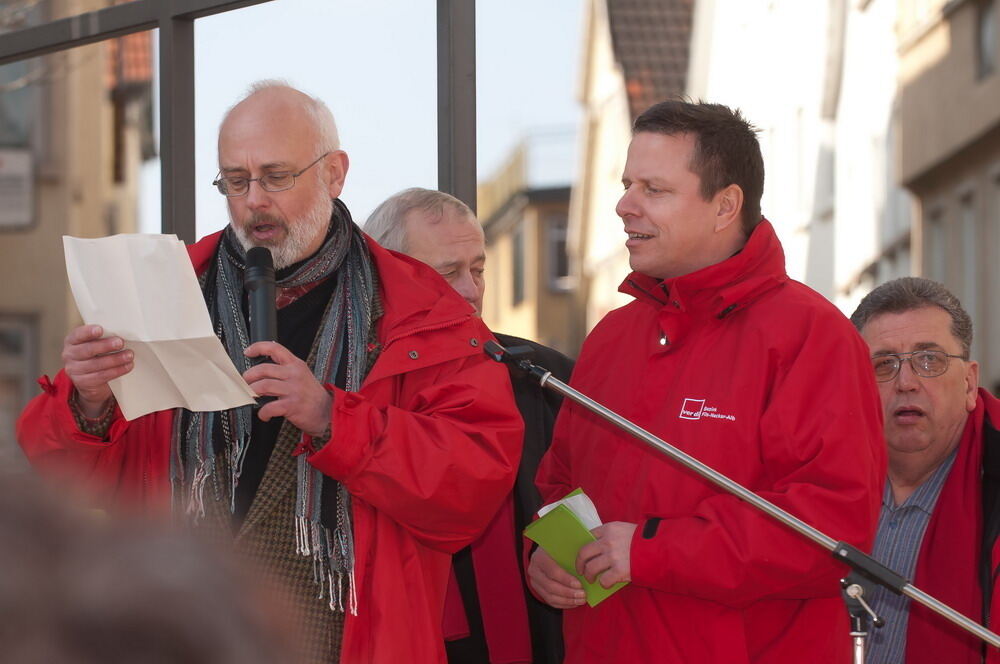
x=722 y=355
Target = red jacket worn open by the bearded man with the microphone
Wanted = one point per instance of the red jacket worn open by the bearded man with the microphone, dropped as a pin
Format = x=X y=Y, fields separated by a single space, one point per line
x=428 y=448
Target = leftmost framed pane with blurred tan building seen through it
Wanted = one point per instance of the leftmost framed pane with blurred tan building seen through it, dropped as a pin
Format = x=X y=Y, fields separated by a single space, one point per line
x=85 y=116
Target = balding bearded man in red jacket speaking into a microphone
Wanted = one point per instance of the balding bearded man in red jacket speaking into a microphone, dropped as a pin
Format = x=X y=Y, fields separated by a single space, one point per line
x=391 y=440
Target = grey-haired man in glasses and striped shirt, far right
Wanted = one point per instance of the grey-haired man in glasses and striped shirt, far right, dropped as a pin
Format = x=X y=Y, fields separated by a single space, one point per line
x=940 y=509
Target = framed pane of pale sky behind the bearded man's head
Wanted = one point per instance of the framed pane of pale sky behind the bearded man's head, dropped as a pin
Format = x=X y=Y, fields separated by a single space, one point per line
x=372 y=63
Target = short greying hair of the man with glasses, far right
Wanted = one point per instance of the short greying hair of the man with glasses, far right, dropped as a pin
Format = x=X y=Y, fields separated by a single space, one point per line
x=909 y=293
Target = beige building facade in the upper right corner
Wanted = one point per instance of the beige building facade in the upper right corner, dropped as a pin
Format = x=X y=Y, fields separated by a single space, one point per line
x=949 y=157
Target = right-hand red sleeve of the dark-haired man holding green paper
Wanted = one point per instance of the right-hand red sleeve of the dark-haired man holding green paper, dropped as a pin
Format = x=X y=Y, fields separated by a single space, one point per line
x=821 y=441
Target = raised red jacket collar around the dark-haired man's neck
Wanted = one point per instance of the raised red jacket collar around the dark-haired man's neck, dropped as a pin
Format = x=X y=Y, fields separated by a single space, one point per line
x=720 y=288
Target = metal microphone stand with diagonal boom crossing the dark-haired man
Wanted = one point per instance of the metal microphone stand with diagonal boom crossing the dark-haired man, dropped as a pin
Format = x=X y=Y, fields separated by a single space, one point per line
x=864 y=566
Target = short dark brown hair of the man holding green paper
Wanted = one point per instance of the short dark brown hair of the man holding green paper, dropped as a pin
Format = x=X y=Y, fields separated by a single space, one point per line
x=726 y=148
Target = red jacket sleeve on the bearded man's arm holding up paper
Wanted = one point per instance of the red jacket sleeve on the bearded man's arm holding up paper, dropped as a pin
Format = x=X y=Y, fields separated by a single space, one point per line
x=127 y=469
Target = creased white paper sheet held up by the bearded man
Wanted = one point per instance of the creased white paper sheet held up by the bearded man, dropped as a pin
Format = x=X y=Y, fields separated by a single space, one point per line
x=143 y=289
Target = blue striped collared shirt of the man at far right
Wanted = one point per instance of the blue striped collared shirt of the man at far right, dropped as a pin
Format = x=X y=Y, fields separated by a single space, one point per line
x=897 y=543
